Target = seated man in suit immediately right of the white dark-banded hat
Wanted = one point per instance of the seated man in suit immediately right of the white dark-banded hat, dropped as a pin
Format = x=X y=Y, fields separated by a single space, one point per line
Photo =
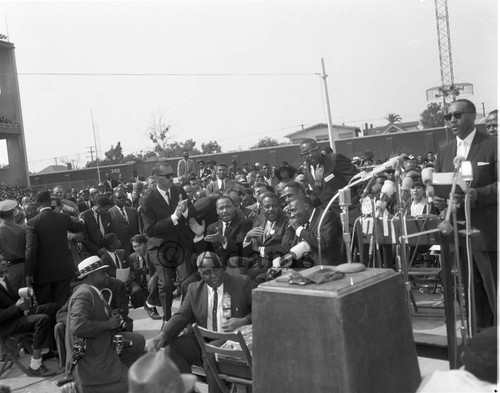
x=117 y=258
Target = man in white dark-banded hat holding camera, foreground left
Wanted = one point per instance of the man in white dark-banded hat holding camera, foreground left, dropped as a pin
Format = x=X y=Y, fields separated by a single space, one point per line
x=101 y=368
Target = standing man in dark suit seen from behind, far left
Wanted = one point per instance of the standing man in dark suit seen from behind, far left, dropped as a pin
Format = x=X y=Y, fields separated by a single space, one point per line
x=49 y=265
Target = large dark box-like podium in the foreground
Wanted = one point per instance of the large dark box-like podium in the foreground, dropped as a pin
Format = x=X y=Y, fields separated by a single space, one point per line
x=349 y=335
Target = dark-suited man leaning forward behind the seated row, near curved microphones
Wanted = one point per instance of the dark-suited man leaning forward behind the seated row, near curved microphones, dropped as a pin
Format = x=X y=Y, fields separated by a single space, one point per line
x=326 y=174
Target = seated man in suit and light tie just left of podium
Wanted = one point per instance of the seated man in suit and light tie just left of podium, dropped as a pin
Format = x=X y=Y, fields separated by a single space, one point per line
x=202 y=305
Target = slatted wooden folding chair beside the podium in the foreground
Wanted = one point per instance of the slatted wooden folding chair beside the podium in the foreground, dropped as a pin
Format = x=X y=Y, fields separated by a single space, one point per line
x=231 y=365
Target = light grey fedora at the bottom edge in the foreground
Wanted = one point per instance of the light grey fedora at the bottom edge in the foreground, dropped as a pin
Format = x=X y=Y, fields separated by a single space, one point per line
x=155 y=372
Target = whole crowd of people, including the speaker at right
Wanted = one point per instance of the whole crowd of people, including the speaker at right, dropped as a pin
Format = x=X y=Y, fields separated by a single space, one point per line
x=207 y=231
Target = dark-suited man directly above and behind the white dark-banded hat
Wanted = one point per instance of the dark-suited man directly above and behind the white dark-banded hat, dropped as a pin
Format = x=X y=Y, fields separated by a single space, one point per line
x=97 y=223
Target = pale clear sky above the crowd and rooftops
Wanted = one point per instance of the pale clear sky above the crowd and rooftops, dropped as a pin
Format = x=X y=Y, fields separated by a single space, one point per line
x=231 y=71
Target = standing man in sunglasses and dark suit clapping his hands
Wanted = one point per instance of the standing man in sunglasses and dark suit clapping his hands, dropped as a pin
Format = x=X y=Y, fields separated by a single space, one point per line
x=165 y=213
